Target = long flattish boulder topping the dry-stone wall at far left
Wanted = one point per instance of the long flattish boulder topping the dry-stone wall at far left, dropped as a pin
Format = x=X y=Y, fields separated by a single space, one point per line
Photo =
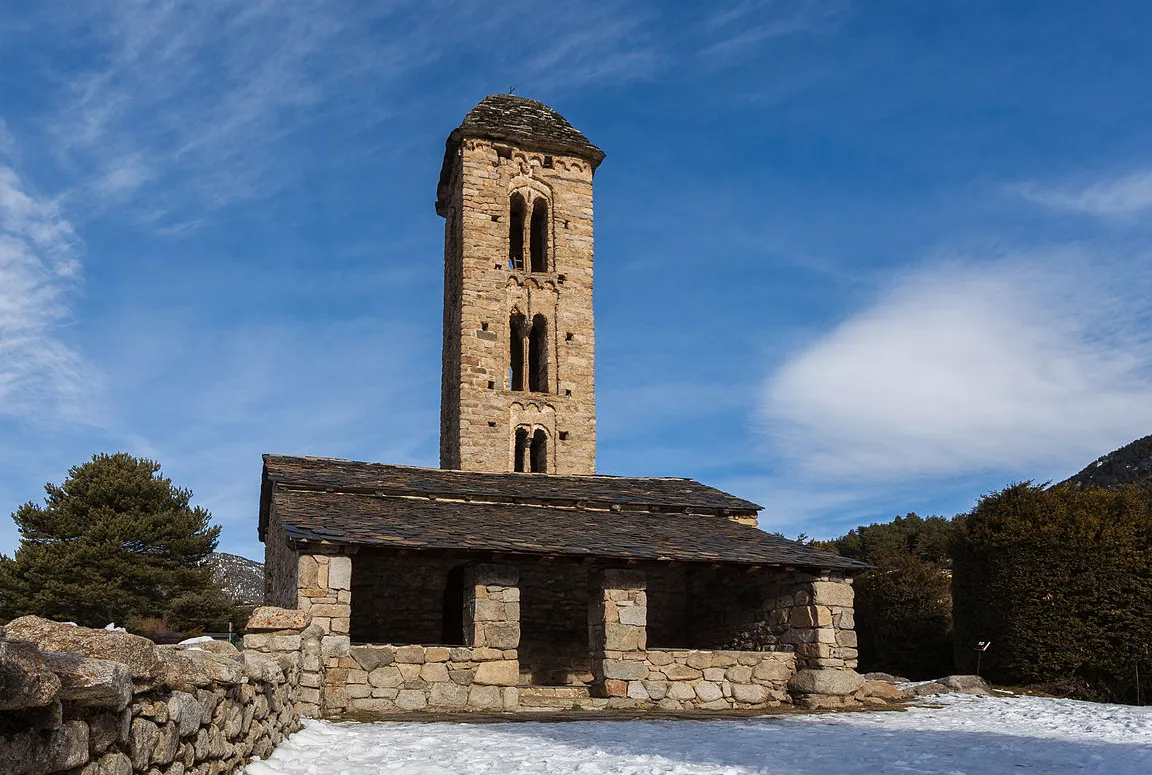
x=140 y=655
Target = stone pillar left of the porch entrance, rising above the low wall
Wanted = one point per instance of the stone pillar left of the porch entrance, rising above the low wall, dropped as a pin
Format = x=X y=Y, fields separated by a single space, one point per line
x=492 y=606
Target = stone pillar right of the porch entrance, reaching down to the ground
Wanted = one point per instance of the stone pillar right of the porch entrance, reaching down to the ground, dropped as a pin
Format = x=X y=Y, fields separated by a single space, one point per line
x=618 y=630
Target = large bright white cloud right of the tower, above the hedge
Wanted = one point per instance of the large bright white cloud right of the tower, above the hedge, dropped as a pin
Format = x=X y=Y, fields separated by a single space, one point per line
x=1026 y=362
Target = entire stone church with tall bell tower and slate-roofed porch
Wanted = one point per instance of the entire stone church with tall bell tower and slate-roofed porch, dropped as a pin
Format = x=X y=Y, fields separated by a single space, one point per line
x=514 y=576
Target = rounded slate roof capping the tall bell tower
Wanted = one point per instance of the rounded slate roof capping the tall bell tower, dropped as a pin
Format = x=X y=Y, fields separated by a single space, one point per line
x=520 y=121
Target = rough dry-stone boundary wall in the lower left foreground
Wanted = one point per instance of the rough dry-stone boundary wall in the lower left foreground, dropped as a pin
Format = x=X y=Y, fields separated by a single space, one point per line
x=97 y=703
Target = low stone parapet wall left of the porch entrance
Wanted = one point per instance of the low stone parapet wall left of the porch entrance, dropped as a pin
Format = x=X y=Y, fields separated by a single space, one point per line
x=390 y=679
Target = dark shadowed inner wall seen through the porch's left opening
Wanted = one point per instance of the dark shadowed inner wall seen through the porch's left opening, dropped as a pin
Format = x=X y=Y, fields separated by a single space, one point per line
x=401 y=599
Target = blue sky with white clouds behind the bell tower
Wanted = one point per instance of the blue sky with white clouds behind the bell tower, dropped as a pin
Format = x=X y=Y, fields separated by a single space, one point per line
x=854 y=260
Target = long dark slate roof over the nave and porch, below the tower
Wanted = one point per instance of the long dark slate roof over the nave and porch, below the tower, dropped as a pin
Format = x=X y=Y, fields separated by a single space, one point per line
x=429 y=510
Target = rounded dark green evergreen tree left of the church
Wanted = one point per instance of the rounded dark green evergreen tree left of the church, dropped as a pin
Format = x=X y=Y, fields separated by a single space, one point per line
x=116 y=543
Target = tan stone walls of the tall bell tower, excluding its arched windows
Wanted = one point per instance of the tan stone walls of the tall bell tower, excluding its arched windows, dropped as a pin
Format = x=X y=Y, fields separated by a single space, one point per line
x=480 y=412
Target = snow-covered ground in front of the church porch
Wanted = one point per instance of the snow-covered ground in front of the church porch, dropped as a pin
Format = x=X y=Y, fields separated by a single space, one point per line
x=966 y=736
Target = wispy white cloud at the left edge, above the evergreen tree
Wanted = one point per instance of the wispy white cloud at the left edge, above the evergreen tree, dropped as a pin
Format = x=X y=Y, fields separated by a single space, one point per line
x=40 y=374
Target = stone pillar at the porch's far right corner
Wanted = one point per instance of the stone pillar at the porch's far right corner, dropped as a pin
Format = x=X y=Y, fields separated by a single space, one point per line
x=822 y=632
